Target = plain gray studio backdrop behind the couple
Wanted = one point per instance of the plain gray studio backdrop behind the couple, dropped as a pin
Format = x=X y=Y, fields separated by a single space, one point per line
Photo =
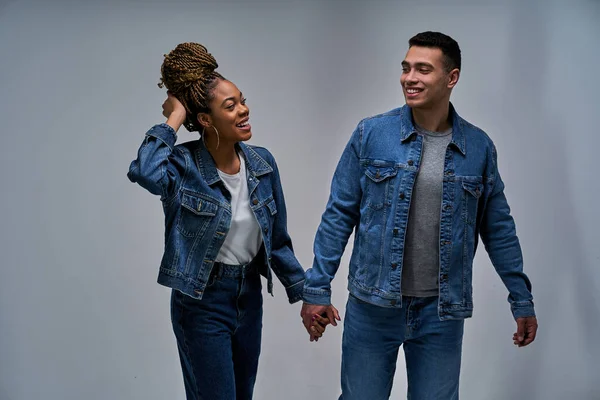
x=81 y=315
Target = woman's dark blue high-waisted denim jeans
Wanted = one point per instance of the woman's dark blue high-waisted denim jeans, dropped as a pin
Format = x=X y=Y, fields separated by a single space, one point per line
x=219 y=336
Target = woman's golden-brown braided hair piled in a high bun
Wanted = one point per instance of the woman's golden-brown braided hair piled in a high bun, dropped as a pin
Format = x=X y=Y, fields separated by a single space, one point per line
x=188 y=72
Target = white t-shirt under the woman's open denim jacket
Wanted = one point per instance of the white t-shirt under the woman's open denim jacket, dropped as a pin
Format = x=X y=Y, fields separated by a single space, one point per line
x=244 y=239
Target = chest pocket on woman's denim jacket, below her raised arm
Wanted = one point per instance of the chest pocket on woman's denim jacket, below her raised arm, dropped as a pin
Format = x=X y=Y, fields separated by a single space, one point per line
x=196 y=213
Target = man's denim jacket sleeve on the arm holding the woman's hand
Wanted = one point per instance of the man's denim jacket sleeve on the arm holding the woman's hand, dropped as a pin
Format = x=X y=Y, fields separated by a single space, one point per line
x=341 y=215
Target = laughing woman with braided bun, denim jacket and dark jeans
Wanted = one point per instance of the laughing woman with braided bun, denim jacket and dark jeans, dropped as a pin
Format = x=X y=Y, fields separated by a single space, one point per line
x=225 y=225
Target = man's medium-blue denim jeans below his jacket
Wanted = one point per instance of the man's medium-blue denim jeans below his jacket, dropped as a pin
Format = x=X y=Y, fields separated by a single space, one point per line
x=373 y=336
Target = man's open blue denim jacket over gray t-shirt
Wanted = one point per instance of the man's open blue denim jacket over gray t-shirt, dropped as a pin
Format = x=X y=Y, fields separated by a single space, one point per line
x=371 y=192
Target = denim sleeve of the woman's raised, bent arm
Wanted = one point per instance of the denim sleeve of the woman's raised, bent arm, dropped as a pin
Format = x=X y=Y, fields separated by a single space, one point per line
x=155 y=167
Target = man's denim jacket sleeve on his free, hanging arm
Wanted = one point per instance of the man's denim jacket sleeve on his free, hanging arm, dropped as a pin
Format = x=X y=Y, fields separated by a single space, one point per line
x=498 y=234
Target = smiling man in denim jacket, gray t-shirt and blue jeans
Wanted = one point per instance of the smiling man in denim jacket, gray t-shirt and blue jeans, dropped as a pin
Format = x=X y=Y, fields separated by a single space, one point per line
x=420 y=185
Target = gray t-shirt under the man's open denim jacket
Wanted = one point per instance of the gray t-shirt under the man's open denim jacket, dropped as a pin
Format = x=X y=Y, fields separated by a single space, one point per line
x=421 y=264
